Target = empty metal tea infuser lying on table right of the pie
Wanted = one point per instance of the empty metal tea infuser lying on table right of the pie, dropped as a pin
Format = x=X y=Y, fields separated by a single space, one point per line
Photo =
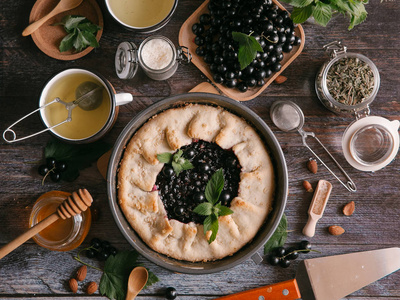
x=288 y=117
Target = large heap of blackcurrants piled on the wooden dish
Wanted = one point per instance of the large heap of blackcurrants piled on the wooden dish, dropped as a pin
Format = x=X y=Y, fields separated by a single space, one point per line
x=271 y=26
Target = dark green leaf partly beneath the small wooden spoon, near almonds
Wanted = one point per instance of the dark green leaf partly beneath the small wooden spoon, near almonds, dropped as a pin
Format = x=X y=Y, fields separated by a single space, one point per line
x=117 y=268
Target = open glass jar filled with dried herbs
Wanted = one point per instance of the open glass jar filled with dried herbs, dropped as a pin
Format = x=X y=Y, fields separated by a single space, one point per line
x=348 y=82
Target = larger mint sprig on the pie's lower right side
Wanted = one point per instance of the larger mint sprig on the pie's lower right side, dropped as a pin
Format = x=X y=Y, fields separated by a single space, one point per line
x=213 y=208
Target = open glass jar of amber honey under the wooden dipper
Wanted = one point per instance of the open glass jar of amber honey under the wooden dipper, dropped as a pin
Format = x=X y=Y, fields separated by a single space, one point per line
x=62 y=235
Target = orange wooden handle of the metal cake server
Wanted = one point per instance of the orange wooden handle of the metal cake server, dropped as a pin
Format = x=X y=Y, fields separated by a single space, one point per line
x=287 y=290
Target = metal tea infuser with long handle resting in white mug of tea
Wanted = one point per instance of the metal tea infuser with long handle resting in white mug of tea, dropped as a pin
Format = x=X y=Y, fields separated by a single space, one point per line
x=84 y=101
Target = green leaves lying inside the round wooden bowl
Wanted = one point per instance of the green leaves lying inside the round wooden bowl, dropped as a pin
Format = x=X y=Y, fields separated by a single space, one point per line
x=81 y=33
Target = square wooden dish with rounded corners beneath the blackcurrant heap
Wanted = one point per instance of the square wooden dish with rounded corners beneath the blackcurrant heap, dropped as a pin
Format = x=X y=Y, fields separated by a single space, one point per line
x=186 y=38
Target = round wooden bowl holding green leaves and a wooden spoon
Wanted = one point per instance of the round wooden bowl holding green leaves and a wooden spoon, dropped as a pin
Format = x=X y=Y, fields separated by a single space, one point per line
x=48 y=37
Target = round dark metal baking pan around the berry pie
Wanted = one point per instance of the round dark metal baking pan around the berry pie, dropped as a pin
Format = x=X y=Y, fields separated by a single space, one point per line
x=265 y=231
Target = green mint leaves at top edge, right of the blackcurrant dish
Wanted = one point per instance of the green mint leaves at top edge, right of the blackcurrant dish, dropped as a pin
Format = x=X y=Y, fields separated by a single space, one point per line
x=322 y=10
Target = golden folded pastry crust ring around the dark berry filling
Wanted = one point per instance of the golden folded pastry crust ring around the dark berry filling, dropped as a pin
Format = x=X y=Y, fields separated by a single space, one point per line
x=169 y=131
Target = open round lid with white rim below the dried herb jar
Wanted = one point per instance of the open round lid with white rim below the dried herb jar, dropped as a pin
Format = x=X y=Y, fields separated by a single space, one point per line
x=371 y=143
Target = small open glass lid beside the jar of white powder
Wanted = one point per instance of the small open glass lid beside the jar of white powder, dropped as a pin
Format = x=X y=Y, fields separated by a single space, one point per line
x=126 y=60
